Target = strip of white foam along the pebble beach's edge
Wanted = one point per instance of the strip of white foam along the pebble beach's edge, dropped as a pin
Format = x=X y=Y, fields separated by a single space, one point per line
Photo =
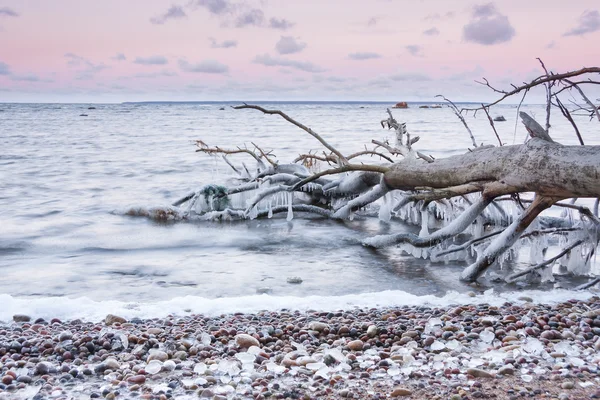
x=86 y=309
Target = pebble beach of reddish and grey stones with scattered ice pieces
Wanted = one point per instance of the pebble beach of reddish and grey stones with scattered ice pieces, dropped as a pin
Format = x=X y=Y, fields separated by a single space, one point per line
x=520 y=350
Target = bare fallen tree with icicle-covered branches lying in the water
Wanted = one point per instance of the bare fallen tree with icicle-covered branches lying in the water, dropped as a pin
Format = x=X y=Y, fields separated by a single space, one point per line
x=464 y=194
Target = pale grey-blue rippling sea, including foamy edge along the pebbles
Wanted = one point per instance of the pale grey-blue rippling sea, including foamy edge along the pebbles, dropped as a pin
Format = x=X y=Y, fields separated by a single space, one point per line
x=68 y=172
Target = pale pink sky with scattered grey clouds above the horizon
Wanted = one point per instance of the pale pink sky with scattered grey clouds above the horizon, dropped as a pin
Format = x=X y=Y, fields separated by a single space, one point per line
x=204 y=50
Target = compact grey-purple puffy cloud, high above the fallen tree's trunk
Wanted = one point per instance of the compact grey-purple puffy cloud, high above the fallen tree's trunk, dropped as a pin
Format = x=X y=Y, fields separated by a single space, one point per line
x=488 y=26
